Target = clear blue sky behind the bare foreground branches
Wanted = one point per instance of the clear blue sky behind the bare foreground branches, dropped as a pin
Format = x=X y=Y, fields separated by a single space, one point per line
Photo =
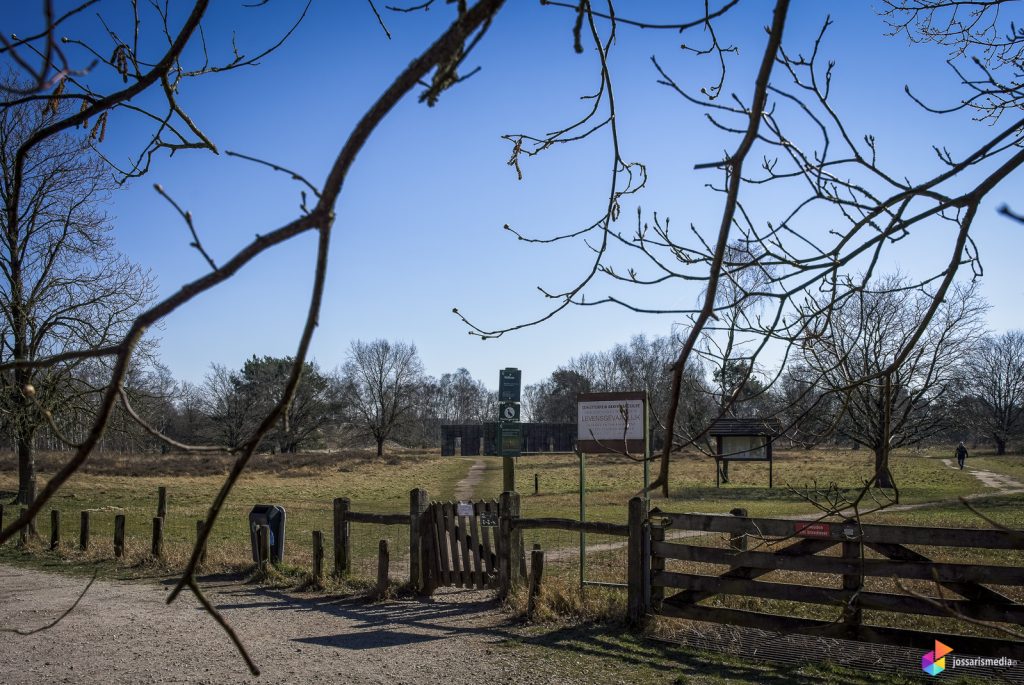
x=419 y=223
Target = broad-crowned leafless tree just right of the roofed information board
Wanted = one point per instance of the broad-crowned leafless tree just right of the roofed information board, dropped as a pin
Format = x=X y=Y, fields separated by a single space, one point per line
x=909 y=402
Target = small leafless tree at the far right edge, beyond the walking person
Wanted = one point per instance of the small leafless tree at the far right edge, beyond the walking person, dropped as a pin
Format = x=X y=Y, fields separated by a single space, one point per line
x=997 y=384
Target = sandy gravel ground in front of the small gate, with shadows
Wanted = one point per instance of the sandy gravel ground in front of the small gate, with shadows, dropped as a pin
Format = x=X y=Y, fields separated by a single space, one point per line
x=125 y=633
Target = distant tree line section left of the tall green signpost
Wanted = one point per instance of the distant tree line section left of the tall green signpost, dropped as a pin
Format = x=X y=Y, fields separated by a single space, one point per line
x=379 y=395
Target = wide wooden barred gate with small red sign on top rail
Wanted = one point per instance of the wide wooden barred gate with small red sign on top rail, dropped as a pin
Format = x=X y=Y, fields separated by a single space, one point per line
x=808 y=551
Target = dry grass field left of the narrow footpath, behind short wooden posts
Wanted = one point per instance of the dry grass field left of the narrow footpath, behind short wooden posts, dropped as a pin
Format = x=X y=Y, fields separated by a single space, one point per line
x=308 y=494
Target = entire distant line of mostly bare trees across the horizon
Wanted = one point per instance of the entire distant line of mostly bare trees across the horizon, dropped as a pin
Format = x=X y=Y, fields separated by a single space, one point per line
x=963 y=383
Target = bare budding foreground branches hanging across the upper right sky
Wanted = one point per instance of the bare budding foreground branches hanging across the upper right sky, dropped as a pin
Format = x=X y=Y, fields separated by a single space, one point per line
x=833 y=208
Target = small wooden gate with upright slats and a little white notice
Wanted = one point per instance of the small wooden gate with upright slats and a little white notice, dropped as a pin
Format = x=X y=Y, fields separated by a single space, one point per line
x=462 y=544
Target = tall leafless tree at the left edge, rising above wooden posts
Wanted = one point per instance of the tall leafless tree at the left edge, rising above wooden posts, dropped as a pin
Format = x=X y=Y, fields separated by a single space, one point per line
x=64 y=287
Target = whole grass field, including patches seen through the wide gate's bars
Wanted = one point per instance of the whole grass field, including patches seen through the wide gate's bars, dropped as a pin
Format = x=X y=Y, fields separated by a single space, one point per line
x=307 y=486
